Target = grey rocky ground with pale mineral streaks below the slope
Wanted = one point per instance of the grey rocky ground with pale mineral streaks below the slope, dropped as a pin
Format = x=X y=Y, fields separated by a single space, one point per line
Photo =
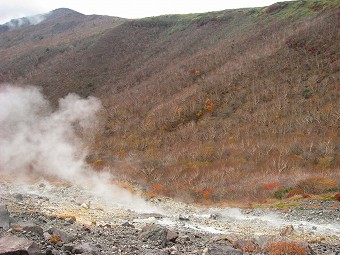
x=45 y=218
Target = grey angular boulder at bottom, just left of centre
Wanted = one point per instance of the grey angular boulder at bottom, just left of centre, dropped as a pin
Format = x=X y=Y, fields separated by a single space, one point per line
x=155 y=233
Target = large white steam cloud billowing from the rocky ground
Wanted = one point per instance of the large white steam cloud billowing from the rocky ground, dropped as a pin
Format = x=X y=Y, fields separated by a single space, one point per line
x=36 y=140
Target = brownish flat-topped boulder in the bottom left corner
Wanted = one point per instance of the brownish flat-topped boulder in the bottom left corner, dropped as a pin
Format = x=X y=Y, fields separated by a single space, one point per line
x=12 y=245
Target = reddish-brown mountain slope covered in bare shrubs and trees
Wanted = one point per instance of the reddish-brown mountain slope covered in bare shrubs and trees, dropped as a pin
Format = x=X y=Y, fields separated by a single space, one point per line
x=204 y=106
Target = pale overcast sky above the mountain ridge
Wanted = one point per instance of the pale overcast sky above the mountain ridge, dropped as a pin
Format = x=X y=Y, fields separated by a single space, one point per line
x=10 y=9
